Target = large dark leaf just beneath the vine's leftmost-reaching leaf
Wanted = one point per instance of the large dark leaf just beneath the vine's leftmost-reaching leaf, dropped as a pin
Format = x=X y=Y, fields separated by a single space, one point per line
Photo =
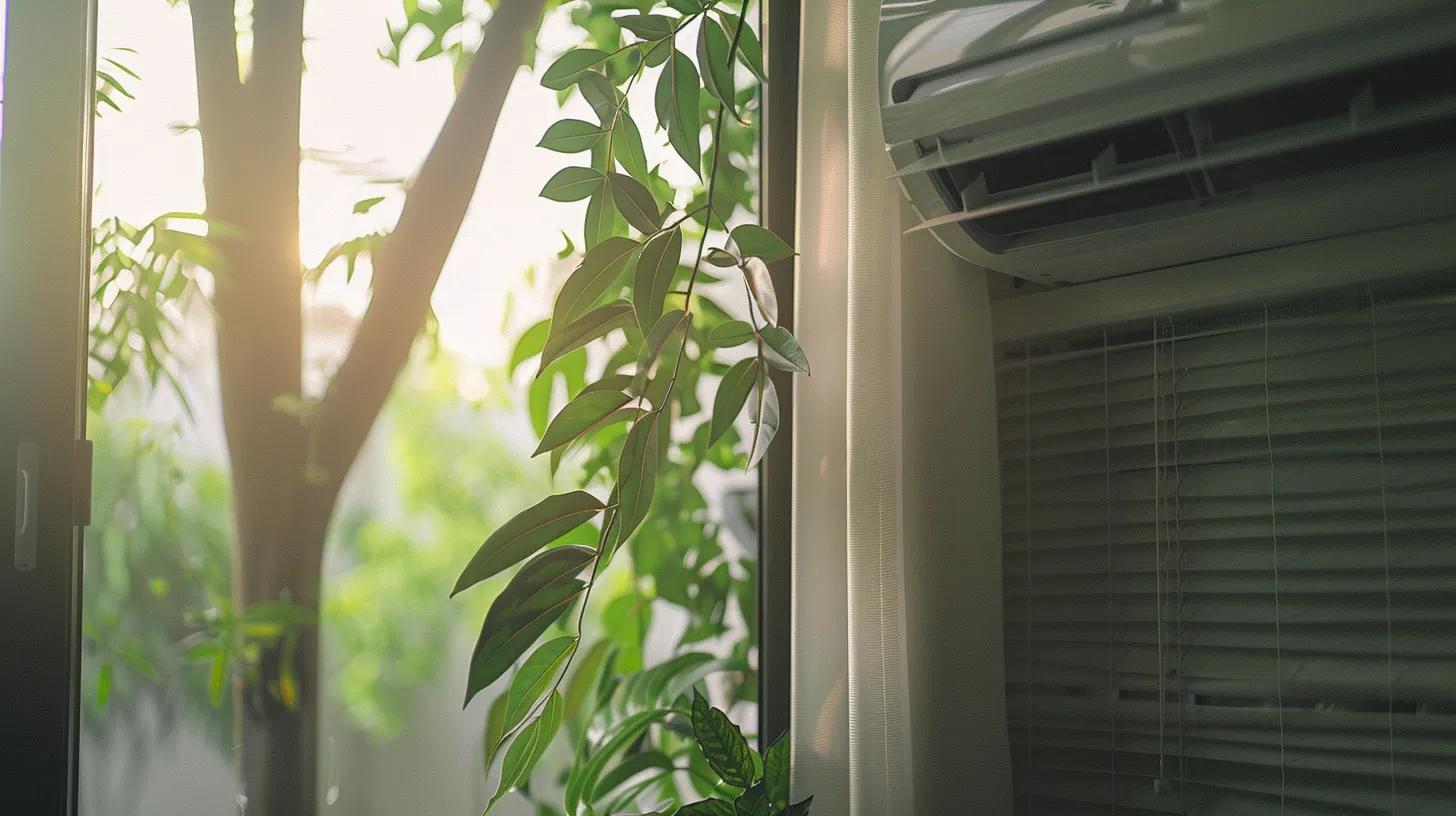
x=538 y=595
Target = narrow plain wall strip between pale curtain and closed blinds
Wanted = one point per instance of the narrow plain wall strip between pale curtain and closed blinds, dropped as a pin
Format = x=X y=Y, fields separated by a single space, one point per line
x=953 y=543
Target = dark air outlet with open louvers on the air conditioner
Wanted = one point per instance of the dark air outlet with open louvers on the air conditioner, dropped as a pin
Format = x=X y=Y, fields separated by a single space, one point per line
x=1200 y=157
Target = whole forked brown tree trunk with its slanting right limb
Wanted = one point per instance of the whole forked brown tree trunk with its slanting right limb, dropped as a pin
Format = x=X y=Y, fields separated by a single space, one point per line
x=288 y=471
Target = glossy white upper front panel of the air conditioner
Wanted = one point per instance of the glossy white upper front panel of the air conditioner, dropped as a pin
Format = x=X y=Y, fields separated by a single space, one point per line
x=1227 y=46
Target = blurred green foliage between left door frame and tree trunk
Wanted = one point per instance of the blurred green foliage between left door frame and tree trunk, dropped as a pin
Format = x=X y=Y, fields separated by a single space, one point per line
x=157 y=565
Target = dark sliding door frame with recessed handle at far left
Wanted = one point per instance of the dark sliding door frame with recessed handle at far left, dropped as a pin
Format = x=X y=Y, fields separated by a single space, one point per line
x=44 y=202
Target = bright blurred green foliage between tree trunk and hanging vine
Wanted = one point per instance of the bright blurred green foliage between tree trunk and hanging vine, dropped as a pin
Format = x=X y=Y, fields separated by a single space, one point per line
x=387 y=614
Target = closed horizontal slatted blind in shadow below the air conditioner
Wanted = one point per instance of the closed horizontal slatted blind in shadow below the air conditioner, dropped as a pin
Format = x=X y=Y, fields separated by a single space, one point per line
x=1231 y=562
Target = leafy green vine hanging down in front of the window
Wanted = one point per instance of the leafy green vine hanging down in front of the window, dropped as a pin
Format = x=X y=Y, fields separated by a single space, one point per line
x=631 y=728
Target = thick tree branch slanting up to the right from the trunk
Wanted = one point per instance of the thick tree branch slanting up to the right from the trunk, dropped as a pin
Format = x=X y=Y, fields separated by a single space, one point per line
x=408 y=266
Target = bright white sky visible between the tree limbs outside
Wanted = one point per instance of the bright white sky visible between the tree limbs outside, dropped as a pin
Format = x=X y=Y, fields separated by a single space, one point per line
x=363 y=110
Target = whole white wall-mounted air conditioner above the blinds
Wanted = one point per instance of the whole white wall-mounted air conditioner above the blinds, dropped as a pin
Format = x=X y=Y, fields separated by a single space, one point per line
x=1072 y=141
